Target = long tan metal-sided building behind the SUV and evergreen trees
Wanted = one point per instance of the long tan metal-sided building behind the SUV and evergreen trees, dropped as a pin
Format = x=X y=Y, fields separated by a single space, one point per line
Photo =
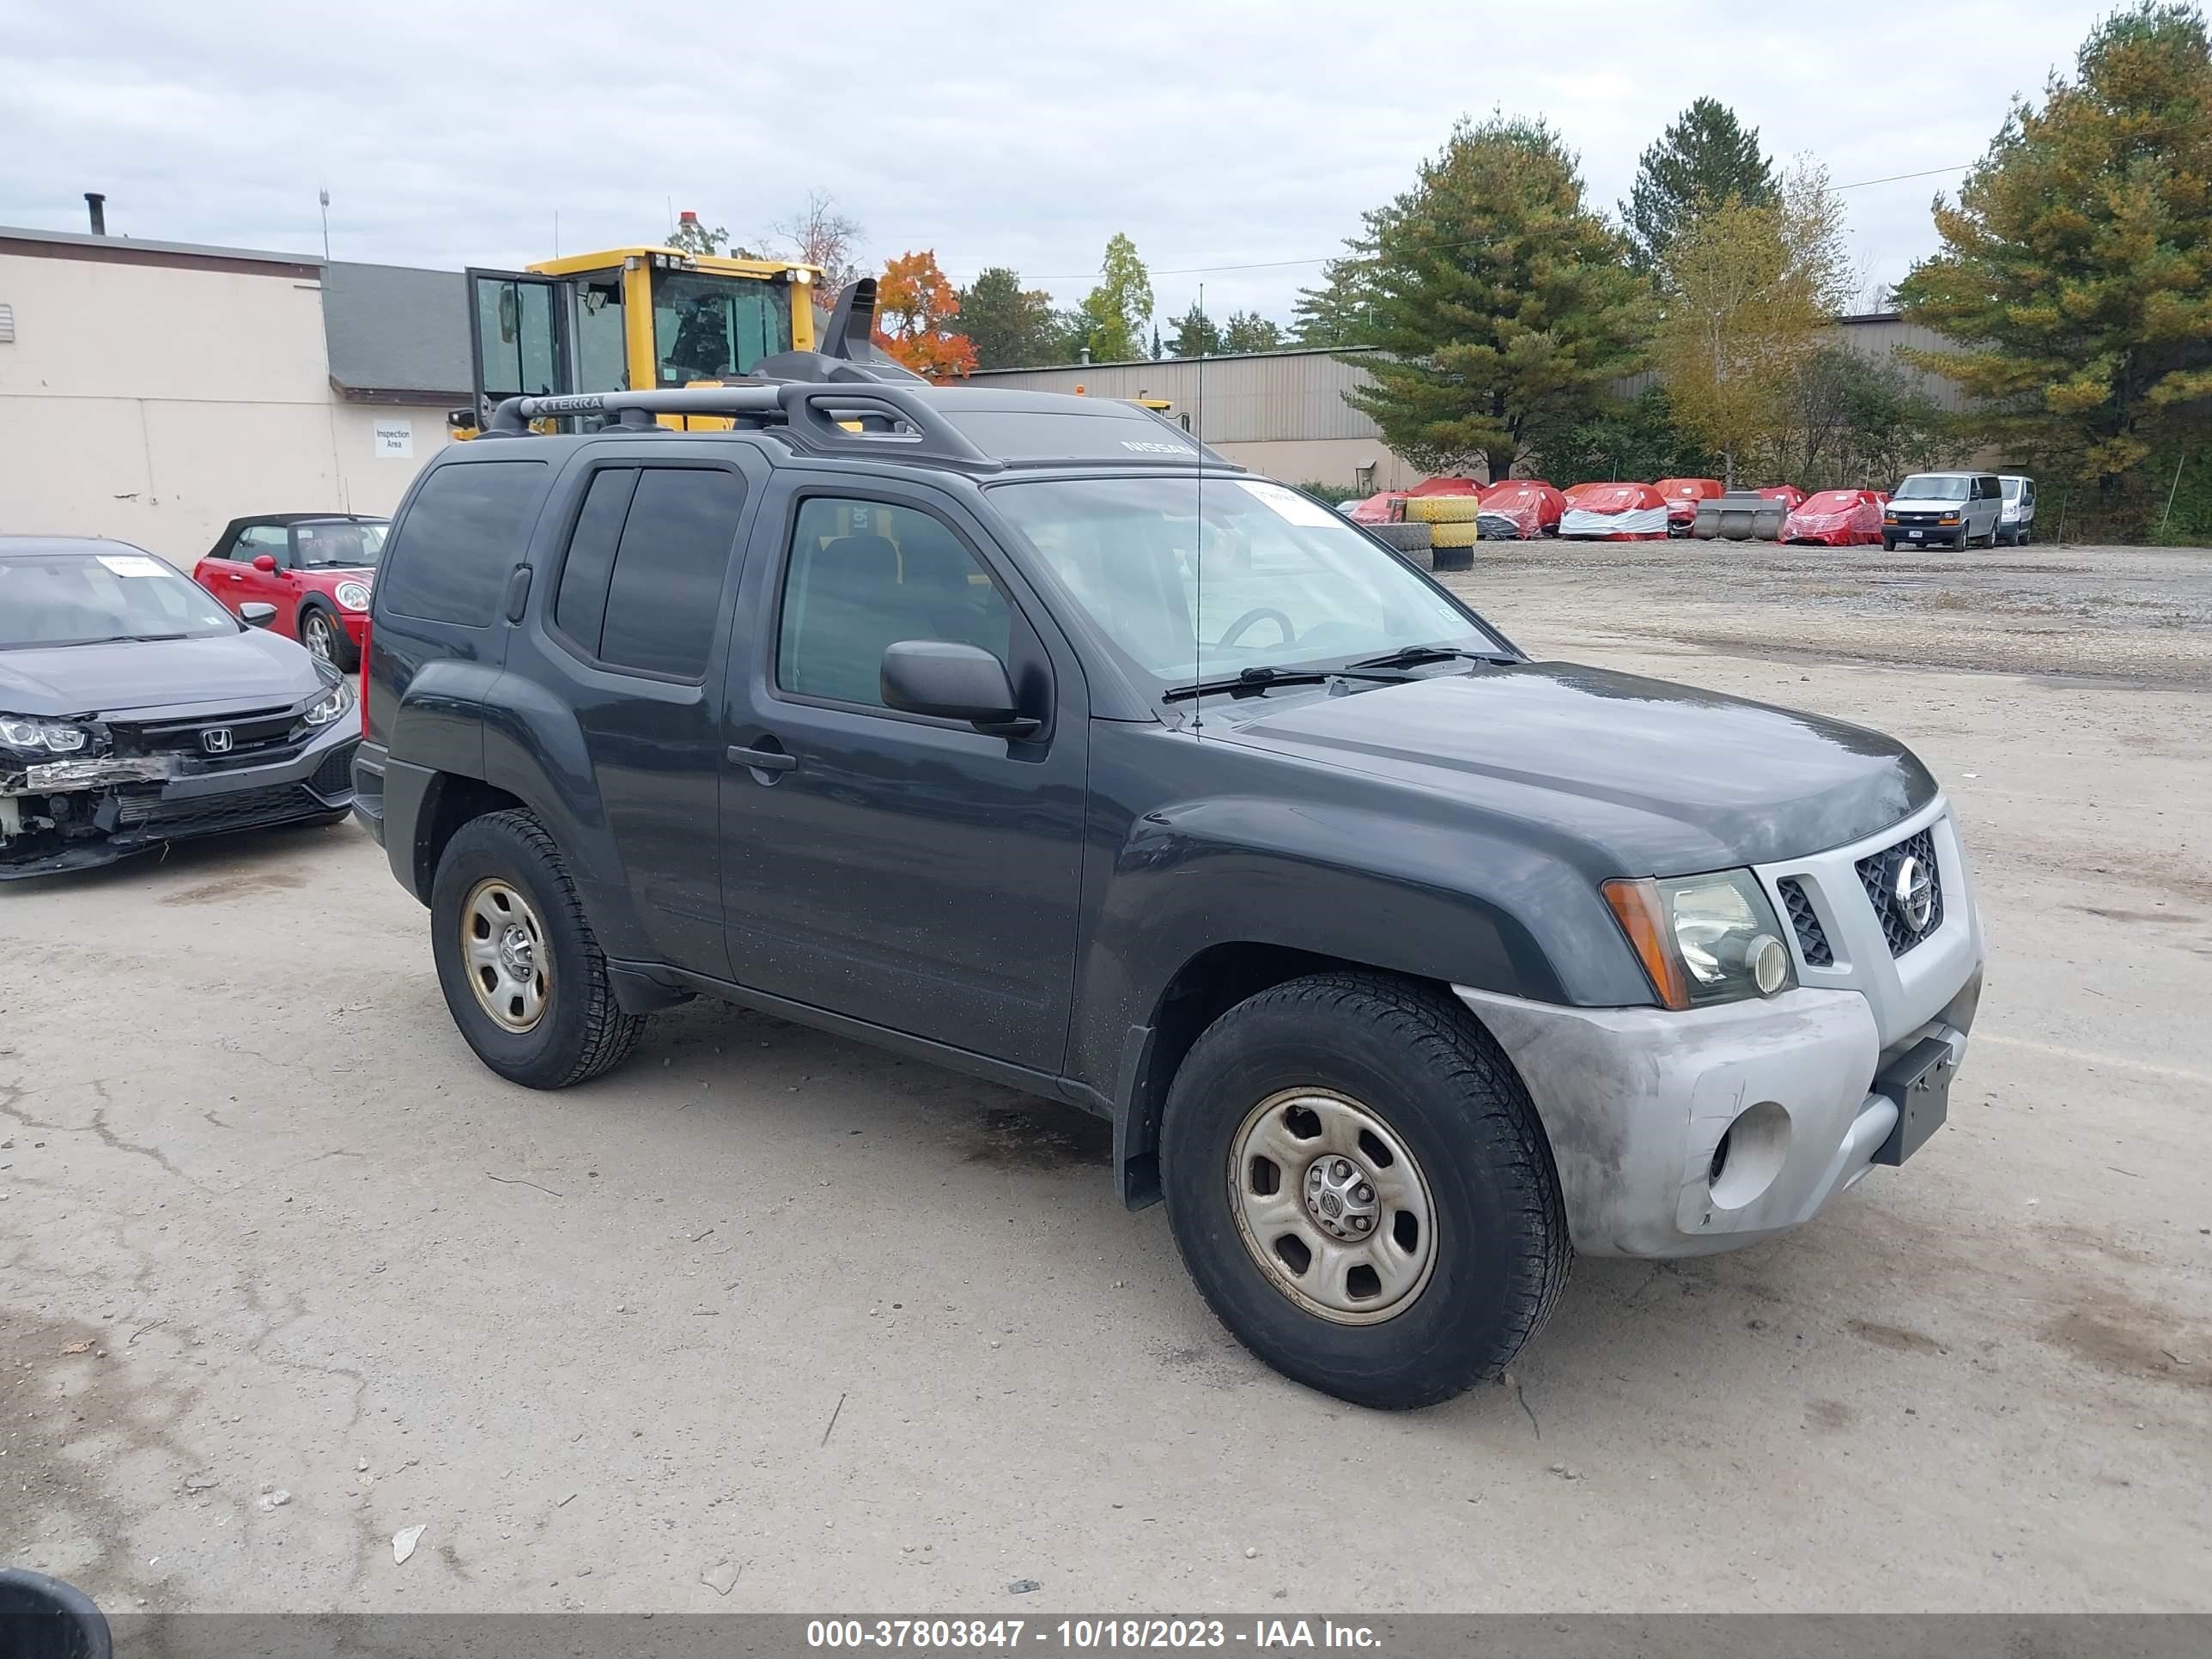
x=1286 y=415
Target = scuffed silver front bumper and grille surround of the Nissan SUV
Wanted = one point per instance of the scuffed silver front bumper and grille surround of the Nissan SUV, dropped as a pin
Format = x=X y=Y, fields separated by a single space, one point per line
x=1636 y=1100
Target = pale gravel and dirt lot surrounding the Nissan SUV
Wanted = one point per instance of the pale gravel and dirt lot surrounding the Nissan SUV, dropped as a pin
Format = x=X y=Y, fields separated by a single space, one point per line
x=875 y=1337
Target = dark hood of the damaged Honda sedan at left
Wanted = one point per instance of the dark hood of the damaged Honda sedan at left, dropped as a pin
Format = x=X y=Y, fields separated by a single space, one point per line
x=247 y=669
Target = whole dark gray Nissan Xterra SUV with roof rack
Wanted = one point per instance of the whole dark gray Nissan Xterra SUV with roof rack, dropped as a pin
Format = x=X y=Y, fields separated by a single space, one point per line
x=1030 y=738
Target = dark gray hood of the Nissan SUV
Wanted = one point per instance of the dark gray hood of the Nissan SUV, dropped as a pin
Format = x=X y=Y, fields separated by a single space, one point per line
x=1660 y=780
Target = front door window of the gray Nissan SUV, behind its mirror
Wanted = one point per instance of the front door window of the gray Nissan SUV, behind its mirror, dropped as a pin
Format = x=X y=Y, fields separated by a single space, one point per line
x=864 y=576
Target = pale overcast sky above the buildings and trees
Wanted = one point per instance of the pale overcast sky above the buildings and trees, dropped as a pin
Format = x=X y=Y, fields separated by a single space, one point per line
x=994 y=134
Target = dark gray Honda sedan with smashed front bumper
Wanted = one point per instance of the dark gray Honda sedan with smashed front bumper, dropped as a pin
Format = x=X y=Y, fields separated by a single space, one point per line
x=136 y=711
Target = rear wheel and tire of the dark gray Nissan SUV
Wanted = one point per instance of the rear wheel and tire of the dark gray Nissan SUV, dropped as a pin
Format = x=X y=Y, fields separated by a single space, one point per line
x=574 y=1030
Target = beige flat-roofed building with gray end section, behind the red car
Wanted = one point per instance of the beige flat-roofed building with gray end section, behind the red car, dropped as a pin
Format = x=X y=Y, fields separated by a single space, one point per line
x=158 y=390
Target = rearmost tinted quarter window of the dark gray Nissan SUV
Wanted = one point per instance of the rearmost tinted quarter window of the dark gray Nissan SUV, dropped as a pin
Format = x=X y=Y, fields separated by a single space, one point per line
x=463 y=534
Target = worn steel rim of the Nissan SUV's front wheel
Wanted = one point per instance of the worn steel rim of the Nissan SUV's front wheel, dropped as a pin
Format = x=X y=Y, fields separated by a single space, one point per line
x=1319 y=1147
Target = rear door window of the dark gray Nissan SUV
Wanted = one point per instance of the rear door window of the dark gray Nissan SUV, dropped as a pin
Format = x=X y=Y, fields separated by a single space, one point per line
x=647 y=563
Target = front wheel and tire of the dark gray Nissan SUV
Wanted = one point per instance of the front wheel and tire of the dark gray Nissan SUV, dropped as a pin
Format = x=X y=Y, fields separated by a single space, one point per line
x=1419 y=1067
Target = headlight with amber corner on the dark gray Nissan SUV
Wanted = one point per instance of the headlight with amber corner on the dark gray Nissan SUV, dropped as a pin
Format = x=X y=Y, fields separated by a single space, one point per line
x=1704 y=939
